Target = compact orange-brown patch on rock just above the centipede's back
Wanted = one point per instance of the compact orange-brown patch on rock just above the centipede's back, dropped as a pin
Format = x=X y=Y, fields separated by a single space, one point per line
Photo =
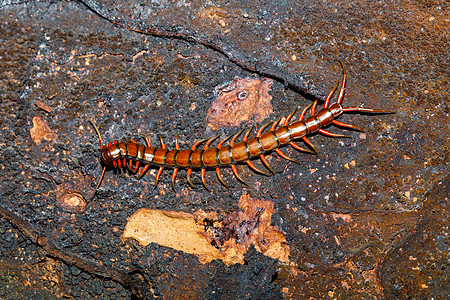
x=244 y=100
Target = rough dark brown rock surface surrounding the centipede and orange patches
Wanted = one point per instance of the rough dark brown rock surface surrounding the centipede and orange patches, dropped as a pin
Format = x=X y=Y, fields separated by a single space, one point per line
x=365 y=218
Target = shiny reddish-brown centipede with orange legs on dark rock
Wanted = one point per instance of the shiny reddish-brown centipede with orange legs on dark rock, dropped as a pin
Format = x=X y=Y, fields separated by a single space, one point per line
x=138 y=157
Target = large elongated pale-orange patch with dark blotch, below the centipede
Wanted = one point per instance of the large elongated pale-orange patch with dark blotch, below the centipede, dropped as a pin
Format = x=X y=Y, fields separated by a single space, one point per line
x=202 y=235
